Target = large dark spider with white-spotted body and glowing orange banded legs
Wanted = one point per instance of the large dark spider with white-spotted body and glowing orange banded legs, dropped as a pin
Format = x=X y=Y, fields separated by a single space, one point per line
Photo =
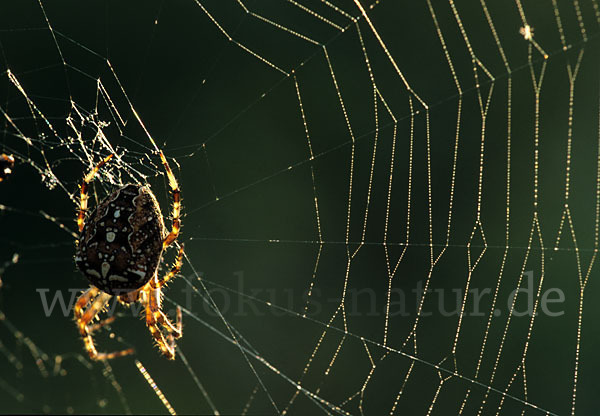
x=119 y=250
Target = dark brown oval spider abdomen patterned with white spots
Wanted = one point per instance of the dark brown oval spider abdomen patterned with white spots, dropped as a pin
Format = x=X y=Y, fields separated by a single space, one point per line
x=121 y=244
